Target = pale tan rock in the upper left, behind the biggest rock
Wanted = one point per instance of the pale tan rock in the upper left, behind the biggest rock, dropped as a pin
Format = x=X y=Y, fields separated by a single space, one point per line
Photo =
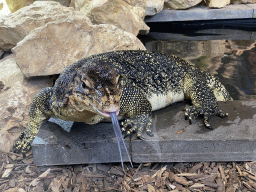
x=14 y=27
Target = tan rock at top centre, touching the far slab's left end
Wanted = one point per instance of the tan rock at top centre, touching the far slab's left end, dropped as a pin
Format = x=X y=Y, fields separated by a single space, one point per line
x=115 y=12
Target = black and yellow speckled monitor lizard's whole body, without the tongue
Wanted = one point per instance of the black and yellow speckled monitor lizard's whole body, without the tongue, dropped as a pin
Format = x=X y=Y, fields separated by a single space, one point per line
x=130 y=83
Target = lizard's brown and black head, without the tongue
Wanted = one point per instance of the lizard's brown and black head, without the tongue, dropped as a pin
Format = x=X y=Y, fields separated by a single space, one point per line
x=99 y=88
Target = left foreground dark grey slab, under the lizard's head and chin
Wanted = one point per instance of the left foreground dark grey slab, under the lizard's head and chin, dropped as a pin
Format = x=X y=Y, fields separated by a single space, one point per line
x=84 y=144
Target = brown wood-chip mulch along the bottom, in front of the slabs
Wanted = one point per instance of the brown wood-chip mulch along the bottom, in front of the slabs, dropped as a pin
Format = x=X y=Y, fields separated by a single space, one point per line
x=18 y=174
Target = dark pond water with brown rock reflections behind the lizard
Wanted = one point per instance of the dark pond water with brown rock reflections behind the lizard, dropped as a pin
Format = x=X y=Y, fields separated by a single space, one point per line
x=228 y=54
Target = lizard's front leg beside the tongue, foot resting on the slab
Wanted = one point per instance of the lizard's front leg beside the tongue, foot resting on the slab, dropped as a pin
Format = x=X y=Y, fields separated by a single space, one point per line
x=137 y=108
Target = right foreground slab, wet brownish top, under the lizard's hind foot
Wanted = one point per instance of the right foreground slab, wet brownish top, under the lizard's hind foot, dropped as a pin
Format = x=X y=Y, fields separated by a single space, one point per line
x=232 y=139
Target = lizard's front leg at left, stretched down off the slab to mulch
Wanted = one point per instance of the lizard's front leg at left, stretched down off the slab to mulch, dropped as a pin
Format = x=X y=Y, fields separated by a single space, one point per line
x=39 y=111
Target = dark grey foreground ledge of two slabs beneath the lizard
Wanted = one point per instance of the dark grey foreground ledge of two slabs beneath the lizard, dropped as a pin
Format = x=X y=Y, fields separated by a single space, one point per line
x=233 y=139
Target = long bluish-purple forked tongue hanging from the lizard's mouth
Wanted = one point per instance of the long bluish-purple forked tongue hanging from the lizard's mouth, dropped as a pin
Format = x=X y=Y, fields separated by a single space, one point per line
x=119 y=137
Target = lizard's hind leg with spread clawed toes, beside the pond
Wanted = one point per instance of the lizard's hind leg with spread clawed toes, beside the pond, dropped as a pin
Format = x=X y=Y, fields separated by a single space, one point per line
x=204 y=97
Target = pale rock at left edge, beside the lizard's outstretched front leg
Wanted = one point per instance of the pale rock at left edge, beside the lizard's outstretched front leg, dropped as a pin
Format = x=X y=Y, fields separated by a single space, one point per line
x=16 y=94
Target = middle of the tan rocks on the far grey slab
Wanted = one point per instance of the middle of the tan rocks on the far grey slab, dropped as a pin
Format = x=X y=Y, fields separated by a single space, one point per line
x=181 y=4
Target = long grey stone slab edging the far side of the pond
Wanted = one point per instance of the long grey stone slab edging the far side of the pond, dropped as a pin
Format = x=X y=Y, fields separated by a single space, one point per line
x=233 y=11
